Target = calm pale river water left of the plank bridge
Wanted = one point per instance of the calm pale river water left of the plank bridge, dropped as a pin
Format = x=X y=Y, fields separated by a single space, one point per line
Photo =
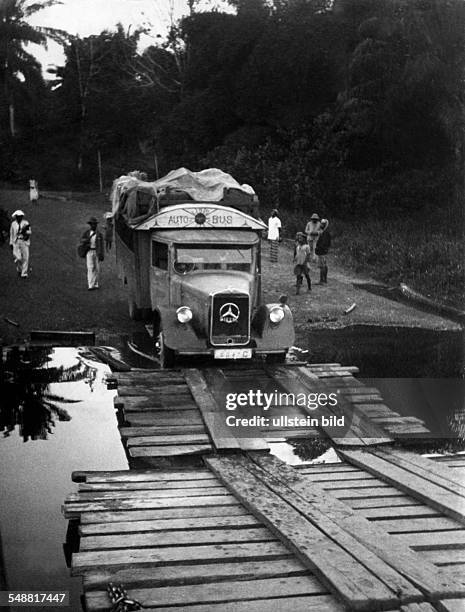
x=56 y=416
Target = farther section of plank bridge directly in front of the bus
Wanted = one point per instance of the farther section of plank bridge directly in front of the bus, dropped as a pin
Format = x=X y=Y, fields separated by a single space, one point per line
x=169 y=413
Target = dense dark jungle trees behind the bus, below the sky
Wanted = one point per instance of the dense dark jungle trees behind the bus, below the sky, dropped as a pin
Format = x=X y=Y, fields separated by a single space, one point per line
x=350 y=108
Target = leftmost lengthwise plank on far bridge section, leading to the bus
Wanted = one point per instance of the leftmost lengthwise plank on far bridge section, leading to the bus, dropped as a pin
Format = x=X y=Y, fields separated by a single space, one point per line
x=211 y=413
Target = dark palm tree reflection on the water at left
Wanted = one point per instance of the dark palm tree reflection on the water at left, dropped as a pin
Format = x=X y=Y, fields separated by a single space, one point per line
x=27 y=402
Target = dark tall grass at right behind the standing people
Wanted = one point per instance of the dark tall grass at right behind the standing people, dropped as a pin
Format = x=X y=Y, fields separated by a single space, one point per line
x=427 y=252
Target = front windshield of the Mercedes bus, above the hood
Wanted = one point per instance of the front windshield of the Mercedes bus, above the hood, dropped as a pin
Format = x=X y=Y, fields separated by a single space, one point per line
x=215 y=258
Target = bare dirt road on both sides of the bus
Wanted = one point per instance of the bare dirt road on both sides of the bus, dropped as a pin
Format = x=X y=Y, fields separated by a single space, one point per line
x=55 y=295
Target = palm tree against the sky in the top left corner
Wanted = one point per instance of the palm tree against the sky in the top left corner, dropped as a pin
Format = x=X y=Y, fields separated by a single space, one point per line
x=17 y=66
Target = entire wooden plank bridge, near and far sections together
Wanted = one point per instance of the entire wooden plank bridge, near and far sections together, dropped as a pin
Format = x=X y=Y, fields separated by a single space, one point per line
x=383 y=529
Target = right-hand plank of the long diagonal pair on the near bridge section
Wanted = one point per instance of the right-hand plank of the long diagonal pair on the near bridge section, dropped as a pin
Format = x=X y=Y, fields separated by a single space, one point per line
x=392 y=562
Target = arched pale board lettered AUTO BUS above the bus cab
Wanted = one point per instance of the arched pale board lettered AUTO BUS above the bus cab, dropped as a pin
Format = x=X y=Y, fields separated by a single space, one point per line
x=200 y=215
